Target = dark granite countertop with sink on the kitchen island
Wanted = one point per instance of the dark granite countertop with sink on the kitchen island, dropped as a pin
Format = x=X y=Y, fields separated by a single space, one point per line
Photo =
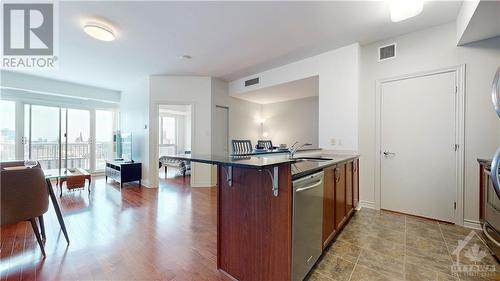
x=299 y=168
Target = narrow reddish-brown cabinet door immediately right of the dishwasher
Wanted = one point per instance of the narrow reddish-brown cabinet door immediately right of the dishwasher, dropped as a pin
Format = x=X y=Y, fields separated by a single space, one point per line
x=328 y=205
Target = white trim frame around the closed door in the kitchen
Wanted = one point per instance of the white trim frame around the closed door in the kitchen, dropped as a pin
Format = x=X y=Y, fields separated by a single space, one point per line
x=459 y=129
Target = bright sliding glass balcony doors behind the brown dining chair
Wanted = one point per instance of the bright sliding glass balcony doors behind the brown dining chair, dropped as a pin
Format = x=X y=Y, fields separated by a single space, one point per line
x=58 y=137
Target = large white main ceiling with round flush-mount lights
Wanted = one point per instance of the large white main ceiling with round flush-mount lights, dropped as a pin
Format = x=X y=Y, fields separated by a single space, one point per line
x=225 y=39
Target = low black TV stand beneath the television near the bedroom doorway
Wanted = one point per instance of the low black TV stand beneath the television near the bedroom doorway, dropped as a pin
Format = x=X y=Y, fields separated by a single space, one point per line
x=123 y=172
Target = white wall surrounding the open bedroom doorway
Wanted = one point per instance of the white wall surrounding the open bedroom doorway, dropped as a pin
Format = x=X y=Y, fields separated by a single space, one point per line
x=194 y=90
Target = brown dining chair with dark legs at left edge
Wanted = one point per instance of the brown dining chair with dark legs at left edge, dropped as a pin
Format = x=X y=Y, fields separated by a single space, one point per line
x=23 y=197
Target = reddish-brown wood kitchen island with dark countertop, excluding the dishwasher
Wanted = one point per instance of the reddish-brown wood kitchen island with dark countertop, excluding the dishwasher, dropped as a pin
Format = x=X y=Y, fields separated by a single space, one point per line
x=255 y=208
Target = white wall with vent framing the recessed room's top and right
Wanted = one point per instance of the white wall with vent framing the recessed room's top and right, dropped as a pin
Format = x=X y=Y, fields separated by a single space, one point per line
x=338 y=72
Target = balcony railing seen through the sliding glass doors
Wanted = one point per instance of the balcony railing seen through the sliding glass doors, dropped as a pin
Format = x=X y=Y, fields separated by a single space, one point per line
x=47 y=153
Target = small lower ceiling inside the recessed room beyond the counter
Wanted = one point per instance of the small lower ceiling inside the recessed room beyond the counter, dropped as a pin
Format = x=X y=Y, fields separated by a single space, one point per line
x=298 y=89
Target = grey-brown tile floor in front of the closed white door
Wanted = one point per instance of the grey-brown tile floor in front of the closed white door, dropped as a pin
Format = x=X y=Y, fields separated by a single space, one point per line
x=385 y=246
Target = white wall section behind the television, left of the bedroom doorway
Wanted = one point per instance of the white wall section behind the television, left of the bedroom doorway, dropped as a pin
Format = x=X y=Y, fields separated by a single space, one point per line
x=134 y=115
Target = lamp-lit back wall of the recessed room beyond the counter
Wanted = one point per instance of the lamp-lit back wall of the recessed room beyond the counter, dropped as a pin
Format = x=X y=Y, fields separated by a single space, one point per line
x=290 y=121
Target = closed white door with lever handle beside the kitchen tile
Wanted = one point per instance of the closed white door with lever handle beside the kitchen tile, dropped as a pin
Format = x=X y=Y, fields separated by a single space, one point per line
x=418 y=173
